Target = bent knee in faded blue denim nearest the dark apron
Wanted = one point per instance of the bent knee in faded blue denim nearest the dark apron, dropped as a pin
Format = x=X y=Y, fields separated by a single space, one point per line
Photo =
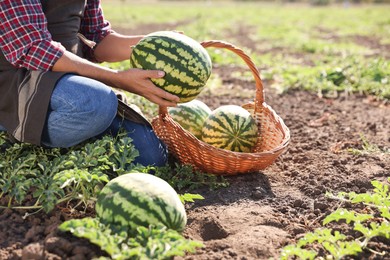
x=80 y=108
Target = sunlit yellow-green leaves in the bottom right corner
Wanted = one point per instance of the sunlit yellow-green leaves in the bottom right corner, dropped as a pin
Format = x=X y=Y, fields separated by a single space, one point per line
x=376 y=223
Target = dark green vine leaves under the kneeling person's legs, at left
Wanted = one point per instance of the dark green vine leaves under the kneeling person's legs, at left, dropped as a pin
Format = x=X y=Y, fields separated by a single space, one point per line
x=53 y=176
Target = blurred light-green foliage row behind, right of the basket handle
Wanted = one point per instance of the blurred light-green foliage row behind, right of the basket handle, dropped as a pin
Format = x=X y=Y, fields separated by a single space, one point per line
x=350 y=75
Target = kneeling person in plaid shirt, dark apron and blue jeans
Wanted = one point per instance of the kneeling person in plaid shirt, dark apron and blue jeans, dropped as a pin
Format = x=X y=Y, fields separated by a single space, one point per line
x=53 y=93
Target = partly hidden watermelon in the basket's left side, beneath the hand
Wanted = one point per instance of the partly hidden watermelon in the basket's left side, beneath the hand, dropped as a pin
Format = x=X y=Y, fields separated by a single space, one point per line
x=191 y=116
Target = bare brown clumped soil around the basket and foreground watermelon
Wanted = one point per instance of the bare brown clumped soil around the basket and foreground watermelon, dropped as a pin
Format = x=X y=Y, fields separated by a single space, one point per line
x=259 y=213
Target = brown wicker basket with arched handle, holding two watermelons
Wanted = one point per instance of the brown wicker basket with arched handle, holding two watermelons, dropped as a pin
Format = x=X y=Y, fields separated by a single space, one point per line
x=273 y=137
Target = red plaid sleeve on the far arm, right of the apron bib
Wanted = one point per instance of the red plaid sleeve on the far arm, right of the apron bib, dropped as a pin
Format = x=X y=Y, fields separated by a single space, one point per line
x=94 y=27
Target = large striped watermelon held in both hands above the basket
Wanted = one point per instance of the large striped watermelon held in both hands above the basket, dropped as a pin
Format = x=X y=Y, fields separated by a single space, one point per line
x=186 y=63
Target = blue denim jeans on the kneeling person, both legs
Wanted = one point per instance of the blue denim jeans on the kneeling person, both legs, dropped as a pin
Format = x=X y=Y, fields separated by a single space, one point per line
x=81 y=108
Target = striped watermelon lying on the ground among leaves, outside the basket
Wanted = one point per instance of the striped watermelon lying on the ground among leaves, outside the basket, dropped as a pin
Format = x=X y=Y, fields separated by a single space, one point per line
x=140 y=199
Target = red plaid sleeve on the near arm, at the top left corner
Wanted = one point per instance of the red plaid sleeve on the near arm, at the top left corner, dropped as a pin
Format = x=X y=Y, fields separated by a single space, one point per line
x=25 y=40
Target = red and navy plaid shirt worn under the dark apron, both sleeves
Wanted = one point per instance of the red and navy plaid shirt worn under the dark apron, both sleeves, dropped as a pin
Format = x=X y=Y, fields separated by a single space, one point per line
x=24 y=37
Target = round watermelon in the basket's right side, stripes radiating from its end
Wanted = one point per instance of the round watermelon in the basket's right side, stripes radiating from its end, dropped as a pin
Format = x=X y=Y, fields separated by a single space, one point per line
x=230 y=127
